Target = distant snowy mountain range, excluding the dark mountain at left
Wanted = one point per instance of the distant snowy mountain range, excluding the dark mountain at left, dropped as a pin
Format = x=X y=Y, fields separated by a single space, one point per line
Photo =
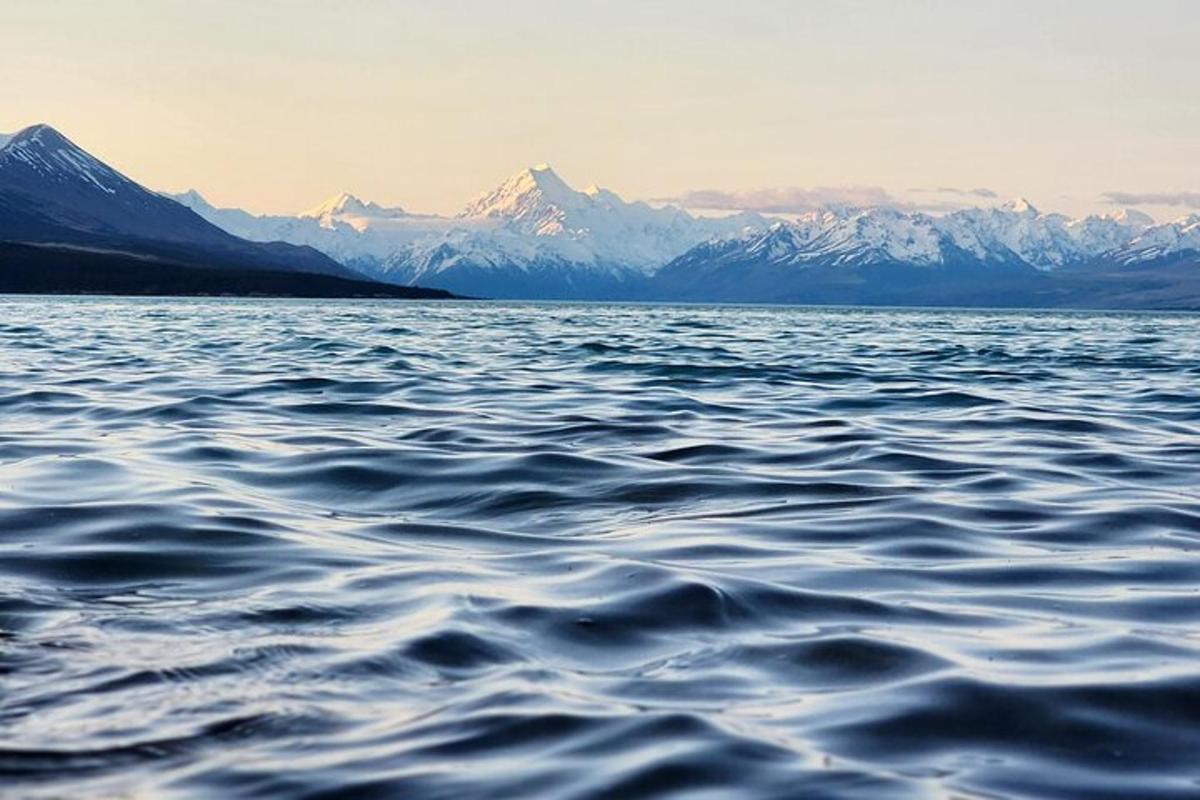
x=535 y=237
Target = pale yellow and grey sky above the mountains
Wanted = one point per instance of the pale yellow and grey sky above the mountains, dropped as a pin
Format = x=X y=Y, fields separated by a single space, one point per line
x=1081 y=106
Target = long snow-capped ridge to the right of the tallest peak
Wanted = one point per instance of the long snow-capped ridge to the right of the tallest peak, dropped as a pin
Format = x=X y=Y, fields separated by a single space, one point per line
x=887 y=256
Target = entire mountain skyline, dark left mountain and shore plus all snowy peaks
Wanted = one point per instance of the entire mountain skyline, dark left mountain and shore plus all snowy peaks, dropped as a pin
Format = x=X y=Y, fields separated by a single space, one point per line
x=535 y=237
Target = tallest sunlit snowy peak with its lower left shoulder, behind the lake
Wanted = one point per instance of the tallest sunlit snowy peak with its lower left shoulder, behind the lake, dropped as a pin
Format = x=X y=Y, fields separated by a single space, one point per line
x=533 y=236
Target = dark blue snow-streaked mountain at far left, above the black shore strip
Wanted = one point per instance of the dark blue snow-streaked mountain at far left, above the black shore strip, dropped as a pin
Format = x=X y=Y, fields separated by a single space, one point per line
x=55 y=193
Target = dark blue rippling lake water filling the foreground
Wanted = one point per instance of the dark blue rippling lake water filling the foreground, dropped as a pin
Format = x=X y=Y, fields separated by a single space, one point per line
x=319 y=550
